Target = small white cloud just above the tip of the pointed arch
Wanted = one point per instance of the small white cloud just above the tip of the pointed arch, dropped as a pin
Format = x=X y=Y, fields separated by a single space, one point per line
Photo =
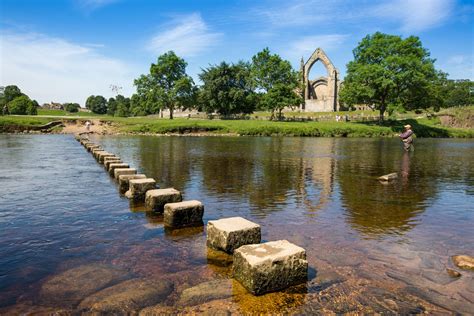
x=305 y=46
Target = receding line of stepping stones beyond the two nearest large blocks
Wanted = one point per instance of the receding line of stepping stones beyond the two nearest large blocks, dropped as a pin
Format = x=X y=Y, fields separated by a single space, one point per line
x=139 y=188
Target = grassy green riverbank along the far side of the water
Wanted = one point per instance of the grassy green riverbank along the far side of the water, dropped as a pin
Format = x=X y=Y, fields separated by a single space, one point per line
x=423 y=127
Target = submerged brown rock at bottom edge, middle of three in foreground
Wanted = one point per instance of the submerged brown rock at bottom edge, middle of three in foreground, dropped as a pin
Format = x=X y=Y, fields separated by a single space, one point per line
x=128 y=296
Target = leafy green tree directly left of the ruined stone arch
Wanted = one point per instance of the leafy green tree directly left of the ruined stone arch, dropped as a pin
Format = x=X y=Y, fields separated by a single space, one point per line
x=277 y=79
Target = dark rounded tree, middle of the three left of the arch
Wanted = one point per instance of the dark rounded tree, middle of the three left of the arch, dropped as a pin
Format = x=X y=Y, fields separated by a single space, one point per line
x=227 y=89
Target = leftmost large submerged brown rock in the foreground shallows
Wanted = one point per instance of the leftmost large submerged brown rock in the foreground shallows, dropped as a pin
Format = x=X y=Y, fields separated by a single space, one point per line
x=70 y=287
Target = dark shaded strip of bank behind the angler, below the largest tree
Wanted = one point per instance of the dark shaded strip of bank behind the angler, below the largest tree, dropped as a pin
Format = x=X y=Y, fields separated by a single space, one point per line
x=420 y=130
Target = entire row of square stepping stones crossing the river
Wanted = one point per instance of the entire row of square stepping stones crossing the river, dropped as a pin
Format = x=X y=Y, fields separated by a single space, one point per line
x=259 y=267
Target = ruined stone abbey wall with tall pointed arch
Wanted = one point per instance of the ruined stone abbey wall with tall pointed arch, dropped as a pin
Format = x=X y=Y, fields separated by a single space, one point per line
x=320 y=94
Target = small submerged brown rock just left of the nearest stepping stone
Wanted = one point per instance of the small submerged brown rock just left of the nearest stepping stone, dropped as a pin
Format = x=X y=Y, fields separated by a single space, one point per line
x=205 y=292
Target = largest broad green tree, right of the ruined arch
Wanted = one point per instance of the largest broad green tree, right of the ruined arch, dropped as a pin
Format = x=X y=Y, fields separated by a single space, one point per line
x=389 y=71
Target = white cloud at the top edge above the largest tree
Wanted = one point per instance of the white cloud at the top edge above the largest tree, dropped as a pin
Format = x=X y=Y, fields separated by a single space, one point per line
x=415 y=15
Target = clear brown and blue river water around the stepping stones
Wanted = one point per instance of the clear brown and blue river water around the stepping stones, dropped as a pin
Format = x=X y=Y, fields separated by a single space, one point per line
x=371 y=247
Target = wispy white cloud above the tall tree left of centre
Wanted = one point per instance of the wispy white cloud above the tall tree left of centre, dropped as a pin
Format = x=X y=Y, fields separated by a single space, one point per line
x=187 y=36
